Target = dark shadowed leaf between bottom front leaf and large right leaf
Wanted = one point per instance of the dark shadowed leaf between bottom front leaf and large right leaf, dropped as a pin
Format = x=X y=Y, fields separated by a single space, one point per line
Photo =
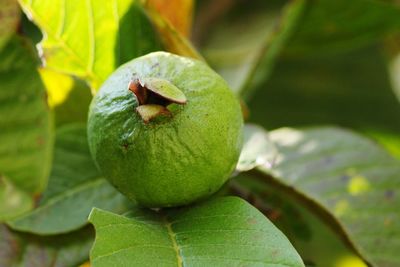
x=306 y=230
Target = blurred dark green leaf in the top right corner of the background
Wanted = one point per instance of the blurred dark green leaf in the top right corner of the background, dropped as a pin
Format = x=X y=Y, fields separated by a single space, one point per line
x=330 y=27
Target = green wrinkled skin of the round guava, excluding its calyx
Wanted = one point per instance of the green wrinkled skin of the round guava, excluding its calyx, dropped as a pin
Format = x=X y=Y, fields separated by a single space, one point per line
x=175 y=160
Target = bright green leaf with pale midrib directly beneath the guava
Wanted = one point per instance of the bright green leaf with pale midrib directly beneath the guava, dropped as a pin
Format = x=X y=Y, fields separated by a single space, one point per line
x=221 y=232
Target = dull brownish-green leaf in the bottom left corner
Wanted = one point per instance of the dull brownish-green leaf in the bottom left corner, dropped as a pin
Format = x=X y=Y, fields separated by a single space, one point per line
x=18 y=249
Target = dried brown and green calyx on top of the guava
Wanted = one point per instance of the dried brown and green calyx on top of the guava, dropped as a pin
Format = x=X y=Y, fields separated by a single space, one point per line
x=154 y=95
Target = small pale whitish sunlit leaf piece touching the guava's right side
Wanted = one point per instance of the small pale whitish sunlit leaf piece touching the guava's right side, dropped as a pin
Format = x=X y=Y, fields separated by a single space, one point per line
x=257 y=149
